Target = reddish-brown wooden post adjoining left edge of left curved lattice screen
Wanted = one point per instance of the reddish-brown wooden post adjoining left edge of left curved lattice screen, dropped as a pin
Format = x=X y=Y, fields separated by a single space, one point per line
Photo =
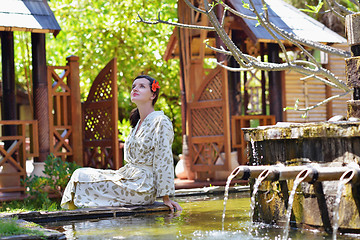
x=75 y=117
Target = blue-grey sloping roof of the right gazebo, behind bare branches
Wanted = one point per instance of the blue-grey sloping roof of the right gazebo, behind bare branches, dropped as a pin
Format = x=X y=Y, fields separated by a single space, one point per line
x=288 y=18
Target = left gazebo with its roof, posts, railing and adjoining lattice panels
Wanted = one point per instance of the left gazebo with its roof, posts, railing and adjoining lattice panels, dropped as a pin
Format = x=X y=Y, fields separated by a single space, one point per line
x=61 y=125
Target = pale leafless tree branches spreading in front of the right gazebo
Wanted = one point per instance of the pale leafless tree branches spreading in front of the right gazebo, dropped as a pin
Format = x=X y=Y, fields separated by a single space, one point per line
x=311 y=69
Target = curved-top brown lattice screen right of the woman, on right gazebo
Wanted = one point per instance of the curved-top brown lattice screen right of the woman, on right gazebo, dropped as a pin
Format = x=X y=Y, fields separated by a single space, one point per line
x=208 y=117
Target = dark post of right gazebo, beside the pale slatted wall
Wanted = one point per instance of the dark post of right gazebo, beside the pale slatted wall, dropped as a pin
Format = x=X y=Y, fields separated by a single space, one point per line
x=275 y=84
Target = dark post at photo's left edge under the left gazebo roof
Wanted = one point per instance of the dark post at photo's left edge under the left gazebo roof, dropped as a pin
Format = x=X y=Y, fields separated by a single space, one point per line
x=8 y=82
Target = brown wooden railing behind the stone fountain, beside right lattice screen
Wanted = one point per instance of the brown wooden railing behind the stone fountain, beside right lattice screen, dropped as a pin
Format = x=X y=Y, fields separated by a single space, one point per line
x=239 y=122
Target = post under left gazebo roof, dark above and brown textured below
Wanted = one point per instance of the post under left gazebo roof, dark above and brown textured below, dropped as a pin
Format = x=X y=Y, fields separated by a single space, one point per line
x=40 y=92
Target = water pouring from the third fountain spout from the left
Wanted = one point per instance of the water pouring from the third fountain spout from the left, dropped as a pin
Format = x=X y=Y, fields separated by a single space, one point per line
x=302 y=176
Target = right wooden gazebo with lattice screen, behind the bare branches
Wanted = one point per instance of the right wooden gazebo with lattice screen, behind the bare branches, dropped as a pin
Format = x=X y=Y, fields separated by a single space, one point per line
x=217 y=104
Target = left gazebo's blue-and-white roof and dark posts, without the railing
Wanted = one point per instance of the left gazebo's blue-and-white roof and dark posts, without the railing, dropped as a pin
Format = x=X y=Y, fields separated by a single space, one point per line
x=36 y=17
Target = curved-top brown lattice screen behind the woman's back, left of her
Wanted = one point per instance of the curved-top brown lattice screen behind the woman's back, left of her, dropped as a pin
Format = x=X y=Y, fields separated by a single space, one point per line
x=101 y=146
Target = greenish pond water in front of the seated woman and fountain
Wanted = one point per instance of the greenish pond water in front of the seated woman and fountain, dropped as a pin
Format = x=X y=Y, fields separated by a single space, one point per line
x=201 y=218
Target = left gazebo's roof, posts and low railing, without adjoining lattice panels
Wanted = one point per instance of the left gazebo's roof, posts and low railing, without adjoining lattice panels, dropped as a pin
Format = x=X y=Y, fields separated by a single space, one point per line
x=36 y=17
